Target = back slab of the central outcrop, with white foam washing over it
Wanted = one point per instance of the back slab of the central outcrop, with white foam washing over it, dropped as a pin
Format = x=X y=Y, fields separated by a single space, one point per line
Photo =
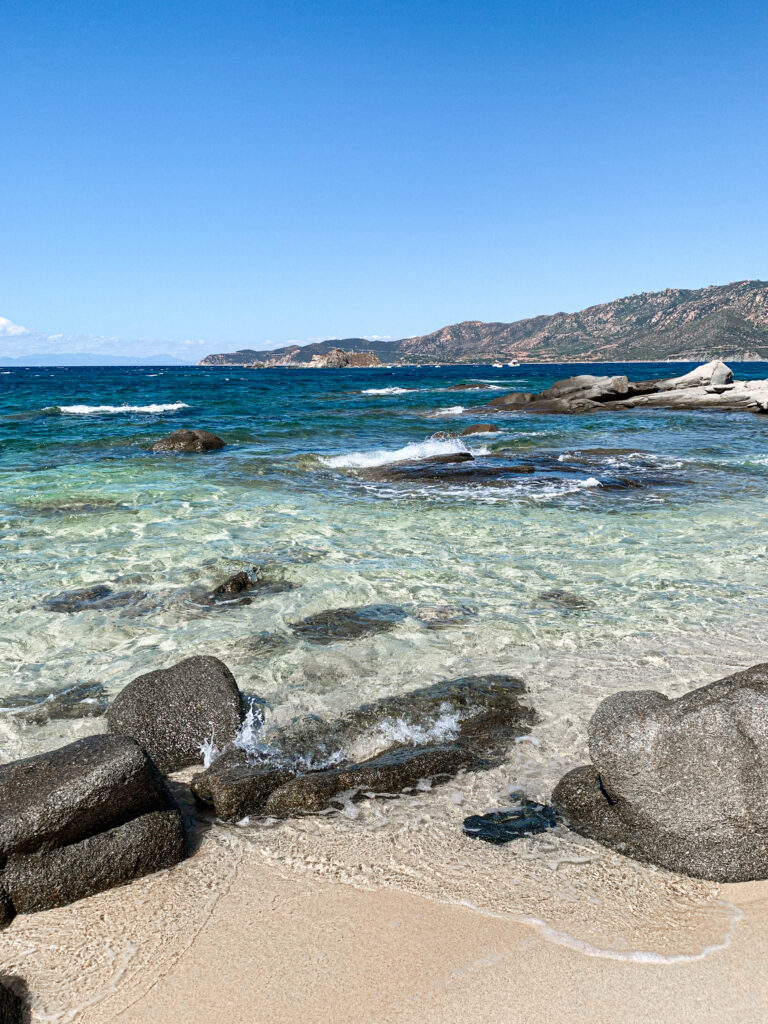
x=484 y=713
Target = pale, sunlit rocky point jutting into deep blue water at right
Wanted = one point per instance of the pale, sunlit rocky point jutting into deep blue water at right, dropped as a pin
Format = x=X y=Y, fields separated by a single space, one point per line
x=709 y=388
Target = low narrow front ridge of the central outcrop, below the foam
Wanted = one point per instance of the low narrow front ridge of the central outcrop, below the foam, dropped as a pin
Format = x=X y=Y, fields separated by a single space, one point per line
x=389 y=774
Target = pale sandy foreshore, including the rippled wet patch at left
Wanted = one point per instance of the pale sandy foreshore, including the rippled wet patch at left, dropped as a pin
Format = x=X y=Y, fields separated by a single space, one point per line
x=228 y=937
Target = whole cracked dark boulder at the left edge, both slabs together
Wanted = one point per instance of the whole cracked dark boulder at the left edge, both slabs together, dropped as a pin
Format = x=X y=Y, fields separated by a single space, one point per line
x=87 y=818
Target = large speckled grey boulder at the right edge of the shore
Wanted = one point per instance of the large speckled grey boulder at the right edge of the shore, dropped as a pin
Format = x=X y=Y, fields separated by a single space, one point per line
x=681 y=784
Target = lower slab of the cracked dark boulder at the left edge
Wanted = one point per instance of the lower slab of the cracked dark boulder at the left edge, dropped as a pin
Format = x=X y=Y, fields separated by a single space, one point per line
x=51 y=878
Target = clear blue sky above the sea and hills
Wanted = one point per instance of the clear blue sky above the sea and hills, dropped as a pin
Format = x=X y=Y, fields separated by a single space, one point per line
x=246 y=173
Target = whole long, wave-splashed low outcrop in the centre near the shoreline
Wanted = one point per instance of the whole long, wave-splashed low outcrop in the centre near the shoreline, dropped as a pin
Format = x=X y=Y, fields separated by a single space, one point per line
x=433 y=732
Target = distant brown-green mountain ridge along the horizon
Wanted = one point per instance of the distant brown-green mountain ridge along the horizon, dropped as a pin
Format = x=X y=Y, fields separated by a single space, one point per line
x=722 y=321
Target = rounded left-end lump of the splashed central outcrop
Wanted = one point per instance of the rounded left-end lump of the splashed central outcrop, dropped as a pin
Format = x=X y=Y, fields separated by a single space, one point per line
x=238 y=786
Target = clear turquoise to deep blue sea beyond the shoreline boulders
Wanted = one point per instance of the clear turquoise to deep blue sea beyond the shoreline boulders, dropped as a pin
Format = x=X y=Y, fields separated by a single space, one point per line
x=650 y=529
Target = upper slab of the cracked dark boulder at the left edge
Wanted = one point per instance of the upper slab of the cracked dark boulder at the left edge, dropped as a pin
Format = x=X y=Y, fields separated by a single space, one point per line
x=69 y=794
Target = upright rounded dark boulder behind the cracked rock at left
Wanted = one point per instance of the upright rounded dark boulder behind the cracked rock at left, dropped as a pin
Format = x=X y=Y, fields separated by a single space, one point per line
x=172 y=712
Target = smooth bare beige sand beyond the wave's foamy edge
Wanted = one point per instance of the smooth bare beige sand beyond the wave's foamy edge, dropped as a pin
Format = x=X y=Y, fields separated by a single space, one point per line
x=297 y=952
